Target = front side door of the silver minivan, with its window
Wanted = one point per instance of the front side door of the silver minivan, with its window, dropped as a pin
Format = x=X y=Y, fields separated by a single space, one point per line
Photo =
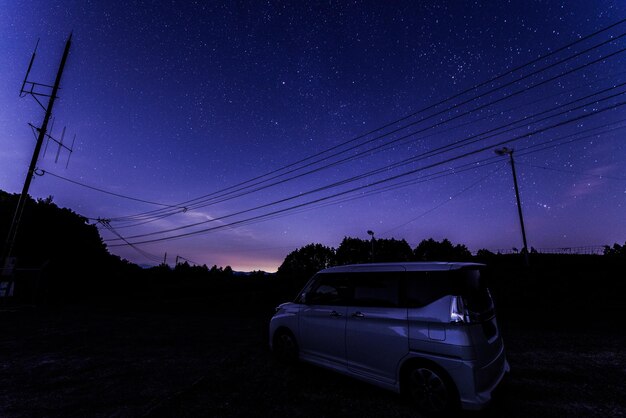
x=323 y=319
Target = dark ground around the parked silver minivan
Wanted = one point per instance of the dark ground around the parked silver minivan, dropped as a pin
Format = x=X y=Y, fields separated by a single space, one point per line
x=208 y=356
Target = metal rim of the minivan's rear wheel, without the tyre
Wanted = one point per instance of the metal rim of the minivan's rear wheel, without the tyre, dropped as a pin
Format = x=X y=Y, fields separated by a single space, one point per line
x=429 y=390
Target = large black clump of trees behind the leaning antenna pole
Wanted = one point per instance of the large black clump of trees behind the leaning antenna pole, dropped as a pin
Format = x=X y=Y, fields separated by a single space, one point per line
x=65 y=252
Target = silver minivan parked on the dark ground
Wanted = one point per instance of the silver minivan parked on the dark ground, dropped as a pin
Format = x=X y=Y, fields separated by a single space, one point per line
x=427 y=330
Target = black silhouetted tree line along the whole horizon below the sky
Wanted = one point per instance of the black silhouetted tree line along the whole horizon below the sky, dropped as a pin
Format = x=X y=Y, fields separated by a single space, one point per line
x=65 y=245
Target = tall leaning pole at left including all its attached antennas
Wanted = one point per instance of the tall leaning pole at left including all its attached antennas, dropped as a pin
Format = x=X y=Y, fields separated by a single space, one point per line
x=34 y=89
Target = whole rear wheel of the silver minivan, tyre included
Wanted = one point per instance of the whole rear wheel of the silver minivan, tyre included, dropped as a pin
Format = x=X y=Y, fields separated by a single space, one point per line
x=431 y=391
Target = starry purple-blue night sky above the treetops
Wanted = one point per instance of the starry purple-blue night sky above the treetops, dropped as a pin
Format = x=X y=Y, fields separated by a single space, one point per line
x=175 y=101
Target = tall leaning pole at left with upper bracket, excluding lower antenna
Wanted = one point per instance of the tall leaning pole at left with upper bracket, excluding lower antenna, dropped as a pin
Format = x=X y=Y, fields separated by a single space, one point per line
x=10 y=242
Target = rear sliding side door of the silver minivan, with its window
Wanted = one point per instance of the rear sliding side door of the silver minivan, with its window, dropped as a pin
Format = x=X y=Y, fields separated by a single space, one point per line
x=376 y=326
